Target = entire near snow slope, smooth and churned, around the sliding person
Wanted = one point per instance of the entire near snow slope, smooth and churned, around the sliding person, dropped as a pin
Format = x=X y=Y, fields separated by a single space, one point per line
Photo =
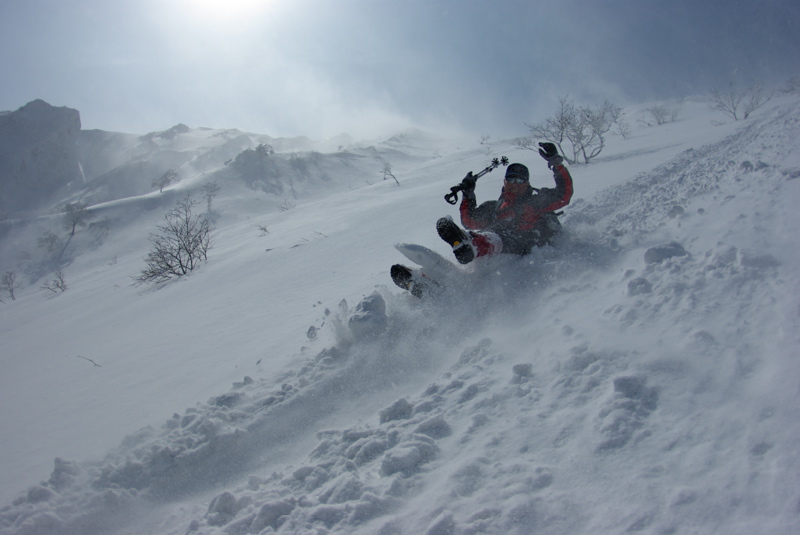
x=641 y=376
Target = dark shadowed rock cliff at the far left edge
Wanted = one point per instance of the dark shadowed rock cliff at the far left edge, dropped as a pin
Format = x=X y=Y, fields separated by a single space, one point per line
x=38 y=154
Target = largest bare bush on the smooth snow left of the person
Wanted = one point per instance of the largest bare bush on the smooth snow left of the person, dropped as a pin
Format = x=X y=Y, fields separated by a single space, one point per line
x=180 y=246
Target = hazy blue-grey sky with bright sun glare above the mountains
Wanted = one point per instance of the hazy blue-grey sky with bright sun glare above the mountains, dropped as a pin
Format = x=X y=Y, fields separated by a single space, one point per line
x=321 y=67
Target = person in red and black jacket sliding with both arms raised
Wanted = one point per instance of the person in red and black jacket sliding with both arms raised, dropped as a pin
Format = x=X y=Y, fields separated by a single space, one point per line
x=521 y=219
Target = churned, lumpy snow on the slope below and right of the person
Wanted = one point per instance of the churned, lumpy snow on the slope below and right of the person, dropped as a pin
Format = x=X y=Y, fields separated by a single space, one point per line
x=640 y=376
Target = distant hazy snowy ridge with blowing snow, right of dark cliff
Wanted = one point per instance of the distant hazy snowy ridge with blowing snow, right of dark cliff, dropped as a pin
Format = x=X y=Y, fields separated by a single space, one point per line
x=117 y=166
